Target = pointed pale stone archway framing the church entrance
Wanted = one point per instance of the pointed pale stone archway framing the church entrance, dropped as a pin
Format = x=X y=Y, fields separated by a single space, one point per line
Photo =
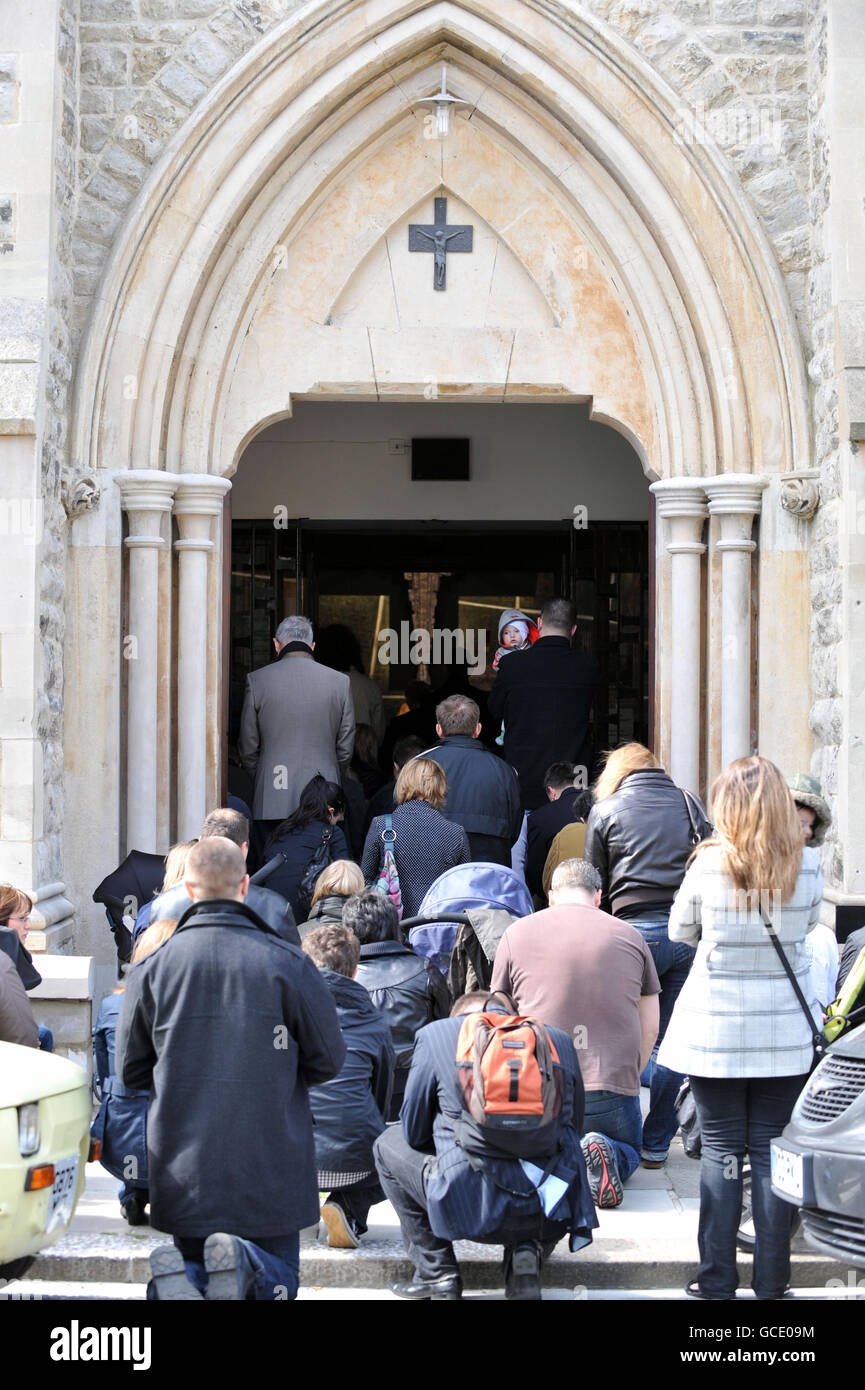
x=649 y=290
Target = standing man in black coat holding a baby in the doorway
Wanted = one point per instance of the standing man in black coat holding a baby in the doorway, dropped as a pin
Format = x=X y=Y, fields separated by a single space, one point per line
x=544 y=698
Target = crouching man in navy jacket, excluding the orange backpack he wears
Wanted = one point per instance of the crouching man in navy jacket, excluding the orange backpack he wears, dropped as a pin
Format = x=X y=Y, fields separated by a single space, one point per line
x=442 y=1195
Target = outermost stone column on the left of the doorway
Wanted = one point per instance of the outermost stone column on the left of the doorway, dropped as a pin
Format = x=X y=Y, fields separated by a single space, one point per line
x=147 y=498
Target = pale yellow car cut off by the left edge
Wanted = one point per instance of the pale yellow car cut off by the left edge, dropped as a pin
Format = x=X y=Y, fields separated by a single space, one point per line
x=45 y=1143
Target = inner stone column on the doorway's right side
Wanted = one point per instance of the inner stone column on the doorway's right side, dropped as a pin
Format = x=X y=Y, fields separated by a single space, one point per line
x=682 y=505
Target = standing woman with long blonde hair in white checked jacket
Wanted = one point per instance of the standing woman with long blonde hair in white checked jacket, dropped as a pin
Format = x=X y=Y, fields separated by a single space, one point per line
x=738 y=1028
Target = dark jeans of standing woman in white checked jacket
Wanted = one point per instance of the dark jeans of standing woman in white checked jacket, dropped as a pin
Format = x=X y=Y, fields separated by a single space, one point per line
x=739 y=1115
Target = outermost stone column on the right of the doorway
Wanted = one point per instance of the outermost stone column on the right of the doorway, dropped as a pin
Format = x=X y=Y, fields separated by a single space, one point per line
x=735 y=498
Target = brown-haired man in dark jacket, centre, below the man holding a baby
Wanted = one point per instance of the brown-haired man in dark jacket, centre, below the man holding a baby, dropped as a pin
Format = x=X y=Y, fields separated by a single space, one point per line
x=483 y=792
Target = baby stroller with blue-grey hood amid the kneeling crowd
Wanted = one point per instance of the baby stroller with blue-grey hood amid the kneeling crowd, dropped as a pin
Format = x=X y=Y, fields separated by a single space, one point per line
x=462 y=921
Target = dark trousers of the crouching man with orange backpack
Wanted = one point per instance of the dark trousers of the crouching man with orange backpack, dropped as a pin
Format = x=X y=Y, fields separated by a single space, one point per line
x=404 y=1174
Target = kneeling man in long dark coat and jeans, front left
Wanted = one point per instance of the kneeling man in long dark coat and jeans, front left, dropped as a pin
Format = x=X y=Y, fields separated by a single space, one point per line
x=229 y=1025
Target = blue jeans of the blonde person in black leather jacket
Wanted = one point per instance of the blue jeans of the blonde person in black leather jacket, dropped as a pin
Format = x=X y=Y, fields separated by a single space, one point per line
x=672 y=963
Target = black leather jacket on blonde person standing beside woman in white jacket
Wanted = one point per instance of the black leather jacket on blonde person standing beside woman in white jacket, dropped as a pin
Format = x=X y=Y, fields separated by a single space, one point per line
x=640 y=840
